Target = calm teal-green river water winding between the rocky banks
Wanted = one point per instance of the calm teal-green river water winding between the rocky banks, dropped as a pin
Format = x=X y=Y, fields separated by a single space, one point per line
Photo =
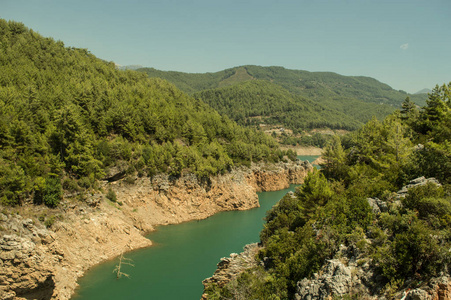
x=181 y=257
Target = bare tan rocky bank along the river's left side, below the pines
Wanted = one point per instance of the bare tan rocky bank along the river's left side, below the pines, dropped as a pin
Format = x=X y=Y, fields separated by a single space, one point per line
x=44 y=263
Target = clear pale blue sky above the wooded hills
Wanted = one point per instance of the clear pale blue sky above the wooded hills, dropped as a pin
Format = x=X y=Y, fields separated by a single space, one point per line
x=404 y=43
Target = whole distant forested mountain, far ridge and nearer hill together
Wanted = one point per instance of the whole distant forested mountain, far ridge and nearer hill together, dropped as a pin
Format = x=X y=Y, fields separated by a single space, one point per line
x=340 y=101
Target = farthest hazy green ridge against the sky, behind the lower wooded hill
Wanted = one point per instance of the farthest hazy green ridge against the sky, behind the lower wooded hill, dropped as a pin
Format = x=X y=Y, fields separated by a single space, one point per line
x=359 y=98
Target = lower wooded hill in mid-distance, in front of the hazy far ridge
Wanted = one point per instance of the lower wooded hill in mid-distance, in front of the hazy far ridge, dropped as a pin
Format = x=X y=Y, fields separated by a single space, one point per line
x=258 y=101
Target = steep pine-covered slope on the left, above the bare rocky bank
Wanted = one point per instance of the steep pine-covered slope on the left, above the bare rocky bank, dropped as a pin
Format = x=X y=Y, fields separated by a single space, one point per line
x=68 y=118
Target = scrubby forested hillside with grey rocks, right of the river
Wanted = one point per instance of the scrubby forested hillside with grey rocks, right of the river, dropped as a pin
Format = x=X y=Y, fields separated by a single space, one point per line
x=353 y=213
